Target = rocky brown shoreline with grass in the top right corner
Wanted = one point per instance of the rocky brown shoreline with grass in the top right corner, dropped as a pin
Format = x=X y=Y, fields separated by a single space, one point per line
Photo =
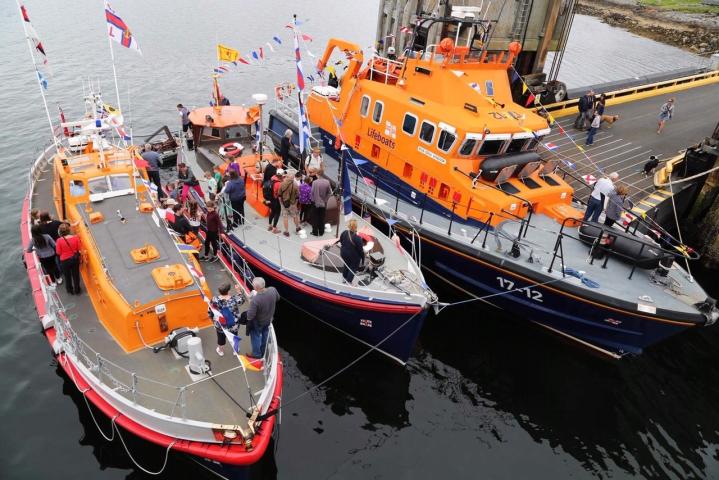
x=696 y=33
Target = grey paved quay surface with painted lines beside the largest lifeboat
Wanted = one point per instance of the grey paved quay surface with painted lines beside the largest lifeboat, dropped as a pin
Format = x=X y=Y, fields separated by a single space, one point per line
x=625 y=146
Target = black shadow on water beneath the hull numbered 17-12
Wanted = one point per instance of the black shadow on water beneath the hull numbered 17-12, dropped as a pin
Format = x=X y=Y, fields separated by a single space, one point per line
x=652 y=415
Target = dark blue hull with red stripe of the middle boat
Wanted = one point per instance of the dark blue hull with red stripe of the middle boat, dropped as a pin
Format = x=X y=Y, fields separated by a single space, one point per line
x=393 y=328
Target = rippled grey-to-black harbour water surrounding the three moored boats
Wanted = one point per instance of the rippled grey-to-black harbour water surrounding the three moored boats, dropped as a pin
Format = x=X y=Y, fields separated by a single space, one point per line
x=485 y=395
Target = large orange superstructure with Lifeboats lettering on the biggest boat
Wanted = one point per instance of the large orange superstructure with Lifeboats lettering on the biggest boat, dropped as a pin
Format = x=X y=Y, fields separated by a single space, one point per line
x=444 y=123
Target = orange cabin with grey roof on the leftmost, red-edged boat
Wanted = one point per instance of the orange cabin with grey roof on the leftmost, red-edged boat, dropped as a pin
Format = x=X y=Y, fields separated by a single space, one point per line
x=140 y=285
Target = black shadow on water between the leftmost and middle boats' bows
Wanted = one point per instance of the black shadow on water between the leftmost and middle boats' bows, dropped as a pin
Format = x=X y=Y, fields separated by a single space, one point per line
x=319 y=351
